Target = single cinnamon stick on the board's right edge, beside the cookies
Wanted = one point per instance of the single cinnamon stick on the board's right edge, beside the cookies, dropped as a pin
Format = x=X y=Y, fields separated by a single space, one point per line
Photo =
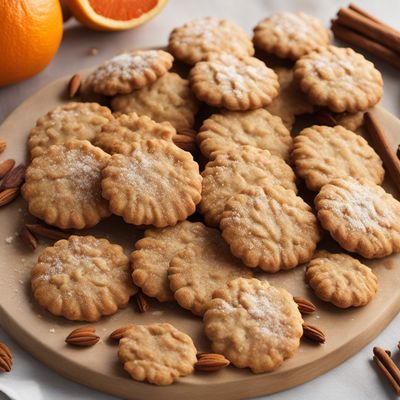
x=383 y=147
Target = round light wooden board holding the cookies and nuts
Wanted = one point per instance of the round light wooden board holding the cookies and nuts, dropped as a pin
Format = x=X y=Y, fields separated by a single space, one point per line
x=43 y=335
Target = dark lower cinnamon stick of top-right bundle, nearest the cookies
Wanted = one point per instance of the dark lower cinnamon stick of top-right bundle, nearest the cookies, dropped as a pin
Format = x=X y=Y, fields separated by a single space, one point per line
x=356 y=39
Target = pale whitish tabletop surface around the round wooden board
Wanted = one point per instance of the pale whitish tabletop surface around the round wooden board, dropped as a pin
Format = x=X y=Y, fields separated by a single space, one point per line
x=354 y=379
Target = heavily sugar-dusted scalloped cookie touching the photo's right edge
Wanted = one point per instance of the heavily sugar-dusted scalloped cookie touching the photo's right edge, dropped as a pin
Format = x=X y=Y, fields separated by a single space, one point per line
x=360 y=216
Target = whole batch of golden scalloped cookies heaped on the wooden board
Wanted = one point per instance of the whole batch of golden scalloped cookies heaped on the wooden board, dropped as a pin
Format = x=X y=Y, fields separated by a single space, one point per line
x=88 y=163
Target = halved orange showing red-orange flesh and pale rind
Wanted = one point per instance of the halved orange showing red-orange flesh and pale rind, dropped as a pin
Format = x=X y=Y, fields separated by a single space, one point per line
x=114 y=15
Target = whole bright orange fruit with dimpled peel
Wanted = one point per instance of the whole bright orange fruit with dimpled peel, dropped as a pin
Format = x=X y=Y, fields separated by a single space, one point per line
x=31 y=31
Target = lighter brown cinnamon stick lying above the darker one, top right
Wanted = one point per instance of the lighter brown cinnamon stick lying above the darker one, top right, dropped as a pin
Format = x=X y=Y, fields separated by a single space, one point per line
x=378 y=32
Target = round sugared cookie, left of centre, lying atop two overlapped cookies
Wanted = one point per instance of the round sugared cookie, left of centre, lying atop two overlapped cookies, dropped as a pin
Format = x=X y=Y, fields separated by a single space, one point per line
x=157 y=184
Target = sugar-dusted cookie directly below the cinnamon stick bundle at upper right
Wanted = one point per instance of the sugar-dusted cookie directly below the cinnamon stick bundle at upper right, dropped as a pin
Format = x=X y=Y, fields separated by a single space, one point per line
x=340 y=79
